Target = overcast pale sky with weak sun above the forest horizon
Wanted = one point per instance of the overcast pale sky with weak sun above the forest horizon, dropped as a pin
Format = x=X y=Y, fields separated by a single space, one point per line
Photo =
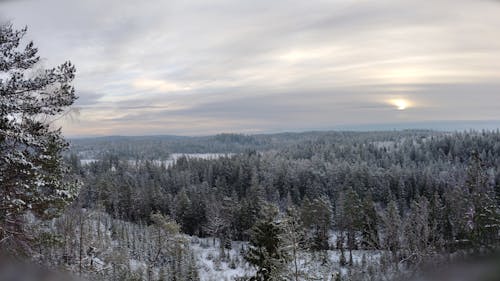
x=204 y=67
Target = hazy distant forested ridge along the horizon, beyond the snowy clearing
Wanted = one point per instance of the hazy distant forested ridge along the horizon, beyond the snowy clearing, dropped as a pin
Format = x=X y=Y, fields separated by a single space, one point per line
x=159 y=147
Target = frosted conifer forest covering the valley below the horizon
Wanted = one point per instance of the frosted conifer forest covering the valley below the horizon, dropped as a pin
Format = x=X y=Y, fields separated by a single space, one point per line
x=406 y=200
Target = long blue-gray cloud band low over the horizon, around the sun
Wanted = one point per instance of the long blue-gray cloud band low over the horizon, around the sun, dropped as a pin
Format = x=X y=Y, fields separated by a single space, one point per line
x=292 y=110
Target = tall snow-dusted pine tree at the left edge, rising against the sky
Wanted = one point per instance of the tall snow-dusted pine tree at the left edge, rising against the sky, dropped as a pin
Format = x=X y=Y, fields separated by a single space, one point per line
x=33 y=174
